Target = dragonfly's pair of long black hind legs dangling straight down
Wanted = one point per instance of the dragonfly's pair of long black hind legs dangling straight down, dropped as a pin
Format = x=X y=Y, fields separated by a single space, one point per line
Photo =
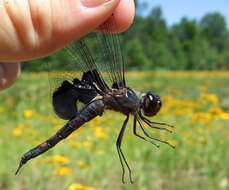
x=120 y=153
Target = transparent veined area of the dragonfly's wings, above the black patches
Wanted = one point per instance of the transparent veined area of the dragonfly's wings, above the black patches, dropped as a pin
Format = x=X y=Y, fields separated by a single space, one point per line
x=99 y=52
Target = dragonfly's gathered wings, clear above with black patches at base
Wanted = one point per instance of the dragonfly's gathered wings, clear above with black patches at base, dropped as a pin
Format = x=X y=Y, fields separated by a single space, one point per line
x=96 y=59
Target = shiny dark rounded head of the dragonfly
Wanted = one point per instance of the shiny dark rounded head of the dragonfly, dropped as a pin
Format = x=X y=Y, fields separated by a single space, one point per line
x=150 y=104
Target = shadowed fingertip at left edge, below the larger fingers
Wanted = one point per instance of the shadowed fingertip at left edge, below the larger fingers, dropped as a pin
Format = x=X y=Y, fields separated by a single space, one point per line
x=9 y=72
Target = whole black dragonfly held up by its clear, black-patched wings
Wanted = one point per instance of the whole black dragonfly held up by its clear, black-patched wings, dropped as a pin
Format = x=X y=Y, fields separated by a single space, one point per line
x=102 y=87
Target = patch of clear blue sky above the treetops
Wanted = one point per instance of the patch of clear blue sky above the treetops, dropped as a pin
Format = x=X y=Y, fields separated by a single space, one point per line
x=174 y=10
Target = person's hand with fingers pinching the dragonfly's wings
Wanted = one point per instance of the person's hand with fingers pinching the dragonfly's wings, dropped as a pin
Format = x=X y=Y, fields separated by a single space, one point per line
x=30 y=29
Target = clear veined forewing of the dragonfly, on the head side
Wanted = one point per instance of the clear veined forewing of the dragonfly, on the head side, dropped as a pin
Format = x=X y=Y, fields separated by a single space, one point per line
x=101 y=52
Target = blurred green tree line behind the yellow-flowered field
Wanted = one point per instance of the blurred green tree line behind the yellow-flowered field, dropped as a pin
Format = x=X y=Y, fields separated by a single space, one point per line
x=151 y=44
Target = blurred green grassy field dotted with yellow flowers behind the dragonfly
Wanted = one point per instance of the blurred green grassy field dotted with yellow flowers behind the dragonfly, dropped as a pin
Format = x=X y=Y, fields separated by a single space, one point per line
x=197 y=103
